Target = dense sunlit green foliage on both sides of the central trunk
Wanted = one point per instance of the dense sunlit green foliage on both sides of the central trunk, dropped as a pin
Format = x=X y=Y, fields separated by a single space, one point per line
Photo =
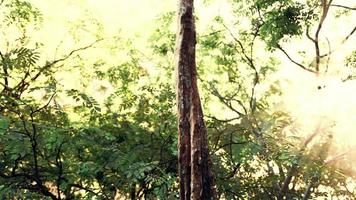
x=126 y=146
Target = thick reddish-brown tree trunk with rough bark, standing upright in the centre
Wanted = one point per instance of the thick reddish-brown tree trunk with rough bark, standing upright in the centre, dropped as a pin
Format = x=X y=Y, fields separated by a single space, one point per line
x=196 y=180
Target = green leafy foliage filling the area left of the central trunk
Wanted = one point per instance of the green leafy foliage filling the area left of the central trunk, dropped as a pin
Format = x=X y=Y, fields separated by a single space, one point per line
x=115 y=149
